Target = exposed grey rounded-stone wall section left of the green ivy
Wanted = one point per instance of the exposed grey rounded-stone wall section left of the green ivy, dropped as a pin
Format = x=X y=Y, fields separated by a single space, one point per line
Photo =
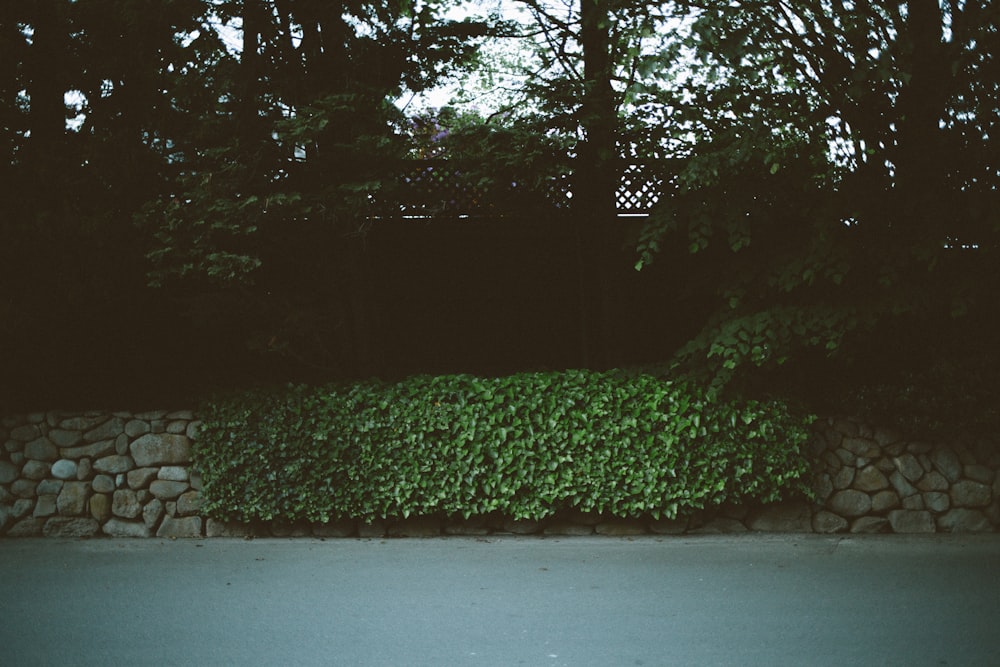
x=80 y=475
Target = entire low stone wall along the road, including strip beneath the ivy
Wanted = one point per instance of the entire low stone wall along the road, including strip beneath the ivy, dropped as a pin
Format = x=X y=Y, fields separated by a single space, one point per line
x=129 y=475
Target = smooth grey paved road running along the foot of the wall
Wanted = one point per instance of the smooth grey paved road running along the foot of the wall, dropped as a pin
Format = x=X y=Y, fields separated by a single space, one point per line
x=745 y=600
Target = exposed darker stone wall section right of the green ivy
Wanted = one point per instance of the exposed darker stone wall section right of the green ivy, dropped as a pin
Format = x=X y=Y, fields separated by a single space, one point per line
x=873 y=480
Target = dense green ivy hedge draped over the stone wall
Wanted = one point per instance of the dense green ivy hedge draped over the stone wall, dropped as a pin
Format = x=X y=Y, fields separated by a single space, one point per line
x=525 y=446
